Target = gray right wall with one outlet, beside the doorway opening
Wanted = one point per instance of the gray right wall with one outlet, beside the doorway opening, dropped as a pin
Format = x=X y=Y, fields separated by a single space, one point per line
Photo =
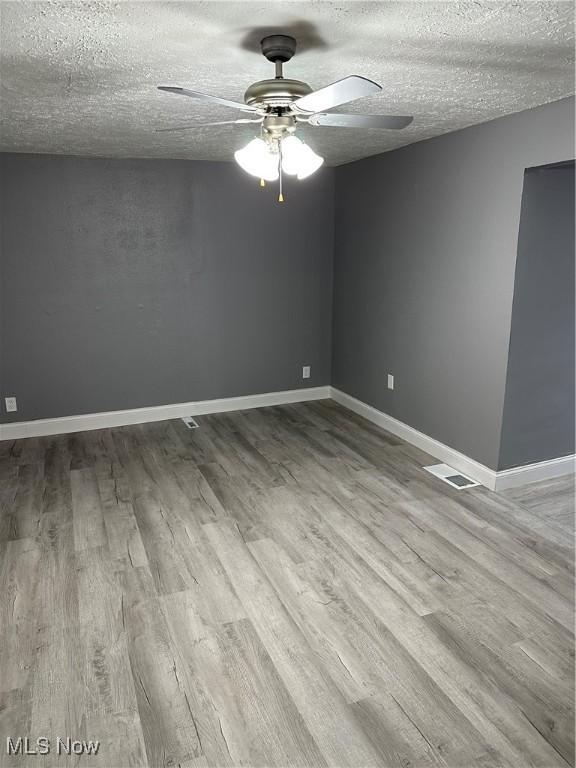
x=426 y=240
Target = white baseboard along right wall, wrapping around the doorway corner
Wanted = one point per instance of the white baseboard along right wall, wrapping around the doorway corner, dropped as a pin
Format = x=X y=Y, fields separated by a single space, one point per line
x=495 y=481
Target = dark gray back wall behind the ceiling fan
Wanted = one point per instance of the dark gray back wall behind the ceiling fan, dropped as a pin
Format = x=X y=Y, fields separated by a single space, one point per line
x=131 y=283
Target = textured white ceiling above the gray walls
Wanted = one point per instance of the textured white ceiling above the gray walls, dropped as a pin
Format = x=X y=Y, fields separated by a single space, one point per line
x=79 y=77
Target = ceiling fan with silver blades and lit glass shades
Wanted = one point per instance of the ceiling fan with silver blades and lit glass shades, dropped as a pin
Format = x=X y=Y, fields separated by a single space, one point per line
x=278 y=105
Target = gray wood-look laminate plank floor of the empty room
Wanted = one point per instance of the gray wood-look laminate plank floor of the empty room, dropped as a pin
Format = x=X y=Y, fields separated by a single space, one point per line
x=280 y=587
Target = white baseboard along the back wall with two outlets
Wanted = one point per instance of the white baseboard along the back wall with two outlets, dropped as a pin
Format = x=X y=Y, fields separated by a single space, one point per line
x=88 y=421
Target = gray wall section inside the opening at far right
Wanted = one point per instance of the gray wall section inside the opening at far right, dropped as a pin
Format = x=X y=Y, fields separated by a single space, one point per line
x=538 y=420
